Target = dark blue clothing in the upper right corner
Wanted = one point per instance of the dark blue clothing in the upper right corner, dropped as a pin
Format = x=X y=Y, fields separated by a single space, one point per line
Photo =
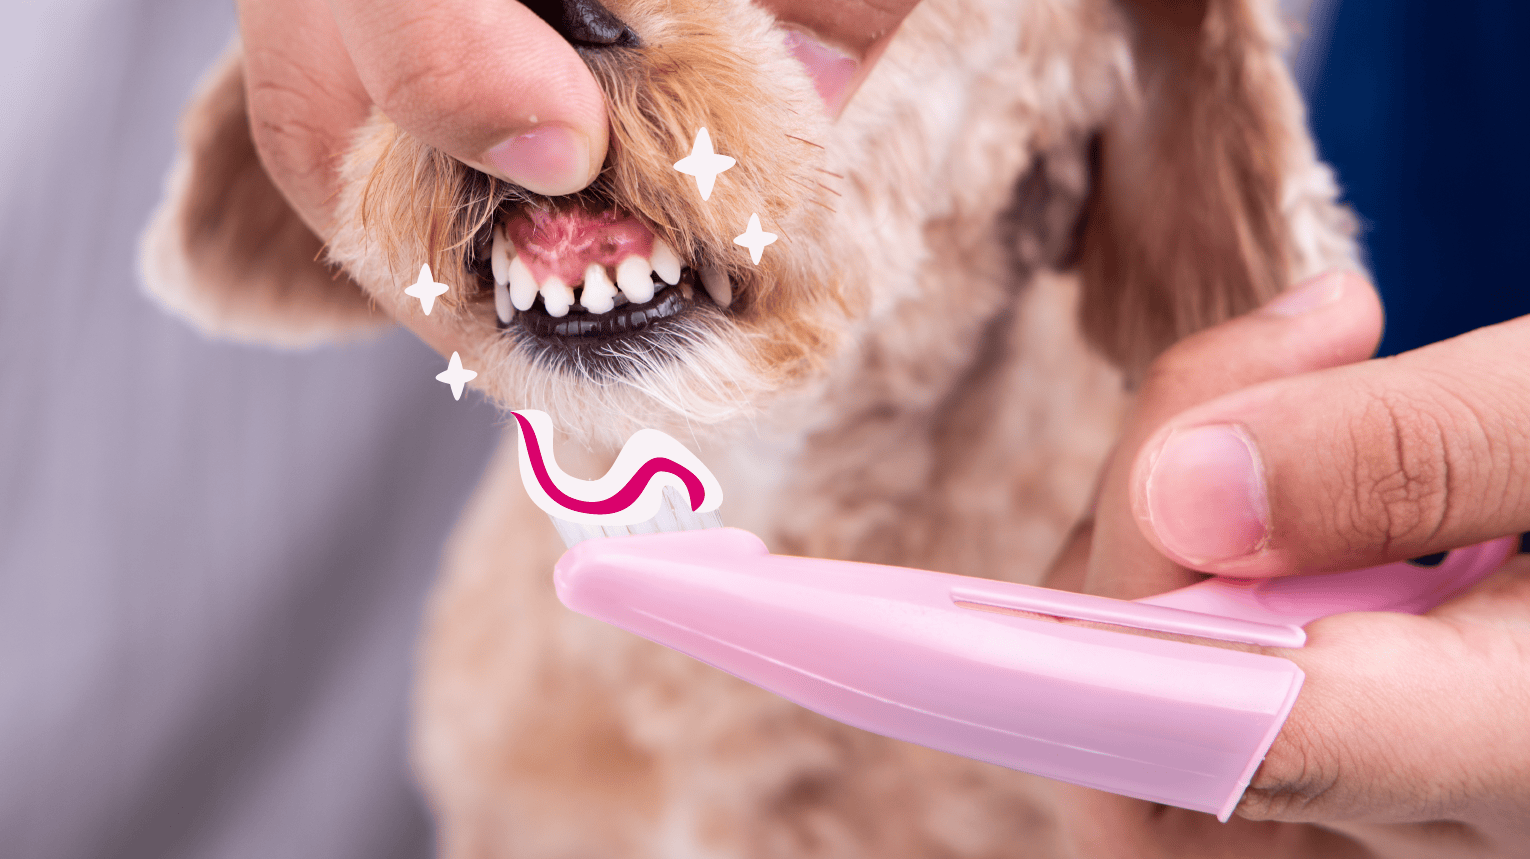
x=1421 y=108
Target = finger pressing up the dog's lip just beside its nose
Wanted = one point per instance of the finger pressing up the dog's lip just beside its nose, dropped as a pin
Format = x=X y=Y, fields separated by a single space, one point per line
x=487 y=82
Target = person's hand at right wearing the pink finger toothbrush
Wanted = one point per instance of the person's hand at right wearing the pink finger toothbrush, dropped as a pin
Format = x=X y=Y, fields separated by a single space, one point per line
x=1263 y=448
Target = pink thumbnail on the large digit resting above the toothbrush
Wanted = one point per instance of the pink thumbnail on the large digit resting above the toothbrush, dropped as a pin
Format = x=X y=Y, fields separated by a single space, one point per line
x=1206 y=495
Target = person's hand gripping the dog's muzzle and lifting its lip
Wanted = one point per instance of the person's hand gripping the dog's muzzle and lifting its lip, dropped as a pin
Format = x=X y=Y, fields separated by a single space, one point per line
x=487 y=82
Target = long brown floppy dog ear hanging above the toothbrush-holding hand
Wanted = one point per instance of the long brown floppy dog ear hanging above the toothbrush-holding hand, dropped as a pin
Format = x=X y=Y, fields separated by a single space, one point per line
x=1208 y=195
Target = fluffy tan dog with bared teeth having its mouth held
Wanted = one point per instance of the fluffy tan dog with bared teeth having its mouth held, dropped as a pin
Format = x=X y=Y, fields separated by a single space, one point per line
x=1023 y=206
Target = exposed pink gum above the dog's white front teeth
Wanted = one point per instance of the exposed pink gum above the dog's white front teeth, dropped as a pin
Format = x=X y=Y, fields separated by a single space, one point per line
x=564 y=243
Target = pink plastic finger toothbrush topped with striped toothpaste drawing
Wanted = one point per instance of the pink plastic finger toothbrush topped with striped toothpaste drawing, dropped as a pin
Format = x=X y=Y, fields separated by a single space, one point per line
x=965 y=665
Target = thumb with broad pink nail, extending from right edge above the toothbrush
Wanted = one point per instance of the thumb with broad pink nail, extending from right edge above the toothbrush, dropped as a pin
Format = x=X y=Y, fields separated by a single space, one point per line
x=1347 y=468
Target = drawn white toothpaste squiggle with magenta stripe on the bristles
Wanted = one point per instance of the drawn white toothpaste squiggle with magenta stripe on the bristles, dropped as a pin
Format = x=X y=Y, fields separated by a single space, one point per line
x=630 y=494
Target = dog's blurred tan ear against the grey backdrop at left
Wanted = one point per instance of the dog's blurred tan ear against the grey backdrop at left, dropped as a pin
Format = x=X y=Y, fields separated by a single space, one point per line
x=226 y=250
